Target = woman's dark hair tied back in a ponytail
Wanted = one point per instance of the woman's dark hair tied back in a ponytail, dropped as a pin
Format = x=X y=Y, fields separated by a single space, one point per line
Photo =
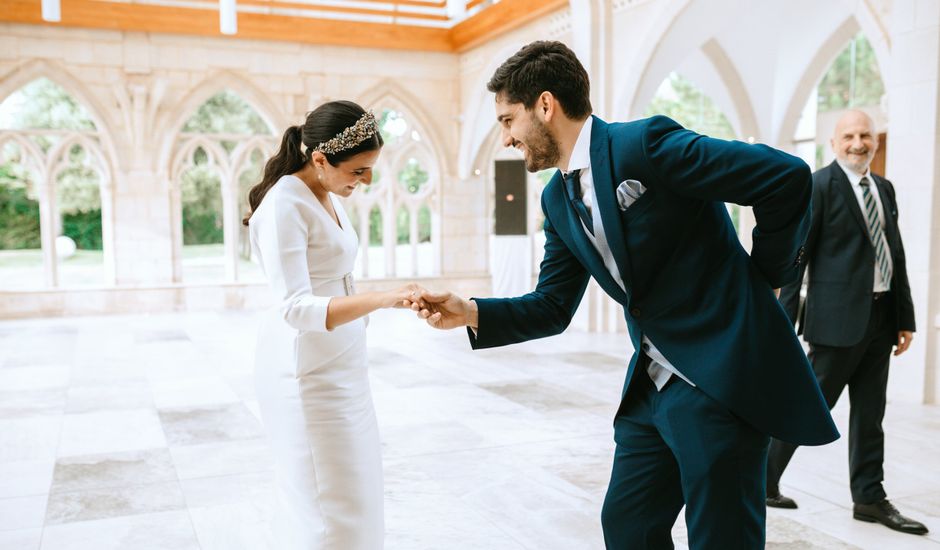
x=322 y=124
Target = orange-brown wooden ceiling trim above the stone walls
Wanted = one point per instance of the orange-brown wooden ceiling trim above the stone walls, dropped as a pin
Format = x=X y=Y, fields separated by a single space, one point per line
x=489 y=22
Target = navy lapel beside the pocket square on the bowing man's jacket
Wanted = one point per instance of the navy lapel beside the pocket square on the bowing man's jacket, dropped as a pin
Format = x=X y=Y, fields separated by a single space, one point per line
x=607 y=201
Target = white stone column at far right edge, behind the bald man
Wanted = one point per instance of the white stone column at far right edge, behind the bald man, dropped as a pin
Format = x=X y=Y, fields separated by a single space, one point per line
x=913 y=165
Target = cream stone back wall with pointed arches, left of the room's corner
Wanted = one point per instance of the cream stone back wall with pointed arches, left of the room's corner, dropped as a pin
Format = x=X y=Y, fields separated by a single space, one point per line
x=141 y=88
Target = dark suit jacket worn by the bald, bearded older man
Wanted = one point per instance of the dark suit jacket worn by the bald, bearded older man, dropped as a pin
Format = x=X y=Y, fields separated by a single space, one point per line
x=840 y=260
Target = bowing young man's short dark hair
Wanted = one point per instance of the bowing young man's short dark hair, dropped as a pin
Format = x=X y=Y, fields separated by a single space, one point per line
x=544 y=66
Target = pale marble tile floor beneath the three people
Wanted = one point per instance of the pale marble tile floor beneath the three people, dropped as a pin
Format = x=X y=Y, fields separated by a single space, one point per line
x=142 y=432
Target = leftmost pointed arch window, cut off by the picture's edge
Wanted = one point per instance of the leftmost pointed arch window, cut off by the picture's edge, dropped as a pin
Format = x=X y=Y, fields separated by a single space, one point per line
x=55 y=183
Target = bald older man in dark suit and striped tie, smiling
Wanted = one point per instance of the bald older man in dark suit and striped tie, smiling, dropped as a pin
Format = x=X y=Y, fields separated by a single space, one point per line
x=858 y=306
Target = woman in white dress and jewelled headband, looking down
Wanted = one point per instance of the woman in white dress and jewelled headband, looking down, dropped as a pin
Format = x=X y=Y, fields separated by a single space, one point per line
x=310 y=366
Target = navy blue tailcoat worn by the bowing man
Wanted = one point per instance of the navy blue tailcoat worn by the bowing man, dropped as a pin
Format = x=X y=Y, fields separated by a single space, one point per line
x=705 y=303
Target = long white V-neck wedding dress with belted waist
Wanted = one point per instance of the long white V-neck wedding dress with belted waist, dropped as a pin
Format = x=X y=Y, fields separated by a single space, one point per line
x=311 y=383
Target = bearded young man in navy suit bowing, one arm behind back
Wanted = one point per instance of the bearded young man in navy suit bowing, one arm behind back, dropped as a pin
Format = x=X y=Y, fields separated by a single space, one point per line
x=718 y=369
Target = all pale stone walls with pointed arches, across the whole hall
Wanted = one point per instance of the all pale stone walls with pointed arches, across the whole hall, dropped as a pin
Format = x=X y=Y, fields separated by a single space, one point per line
x=760 y=60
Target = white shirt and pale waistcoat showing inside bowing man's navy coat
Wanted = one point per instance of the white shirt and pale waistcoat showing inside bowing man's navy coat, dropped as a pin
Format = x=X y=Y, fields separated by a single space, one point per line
x=660 y=369
